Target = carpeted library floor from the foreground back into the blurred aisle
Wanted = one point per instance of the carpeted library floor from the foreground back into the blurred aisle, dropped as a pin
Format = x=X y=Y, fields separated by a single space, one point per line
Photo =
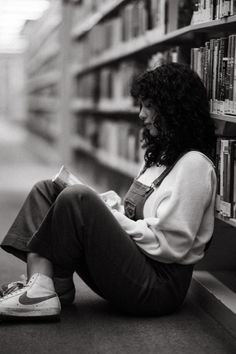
x=90 y=325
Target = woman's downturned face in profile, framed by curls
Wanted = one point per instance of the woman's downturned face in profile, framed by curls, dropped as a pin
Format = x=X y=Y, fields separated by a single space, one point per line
x=148 y=114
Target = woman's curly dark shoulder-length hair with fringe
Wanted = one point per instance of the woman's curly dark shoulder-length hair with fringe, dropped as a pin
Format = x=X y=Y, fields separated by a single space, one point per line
x=184 y=122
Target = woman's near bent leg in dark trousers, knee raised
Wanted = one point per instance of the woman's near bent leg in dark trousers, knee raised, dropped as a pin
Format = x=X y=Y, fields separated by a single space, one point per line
x=80 y=232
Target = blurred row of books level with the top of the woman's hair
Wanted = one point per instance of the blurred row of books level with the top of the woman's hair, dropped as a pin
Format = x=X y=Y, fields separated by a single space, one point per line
x=113 y=82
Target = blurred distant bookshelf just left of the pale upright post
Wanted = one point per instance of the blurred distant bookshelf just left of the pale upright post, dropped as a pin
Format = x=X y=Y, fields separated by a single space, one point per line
x=42 y=62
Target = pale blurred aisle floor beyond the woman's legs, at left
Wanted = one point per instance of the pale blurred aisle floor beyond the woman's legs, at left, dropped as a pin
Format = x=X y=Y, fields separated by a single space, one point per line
x=20 y=168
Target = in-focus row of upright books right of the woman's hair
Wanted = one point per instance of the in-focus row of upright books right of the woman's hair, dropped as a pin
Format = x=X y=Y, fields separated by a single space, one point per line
x=216 y=65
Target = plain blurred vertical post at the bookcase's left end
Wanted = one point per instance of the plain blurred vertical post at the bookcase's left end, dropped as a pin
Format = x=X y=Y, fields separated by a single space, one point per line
x=64 y=143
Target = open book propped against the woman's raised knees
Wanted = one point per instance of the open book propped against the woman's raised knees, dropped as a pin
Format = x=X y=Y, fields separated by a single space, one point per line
x=65 y=178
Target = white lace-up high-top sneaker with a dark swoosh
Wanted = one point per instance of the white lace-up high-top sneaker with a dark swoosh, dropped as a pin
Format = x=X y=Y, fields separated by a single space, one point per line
x=35 y=299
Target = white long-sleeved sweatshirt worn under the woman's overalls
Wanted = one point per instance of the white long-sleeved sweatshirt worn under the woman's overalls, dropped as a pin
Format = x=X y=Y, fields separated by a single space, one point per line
x=178 y=215
